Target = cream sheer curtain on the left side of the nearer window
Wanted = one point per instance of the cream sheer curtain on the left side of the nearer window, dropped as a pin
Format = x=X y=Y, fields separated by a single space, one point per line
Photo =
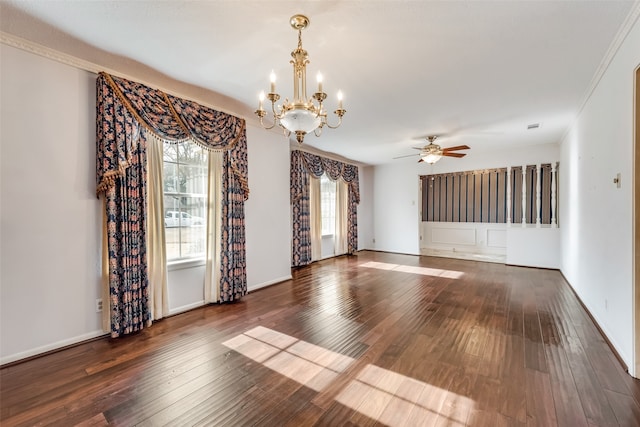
x=156 y=249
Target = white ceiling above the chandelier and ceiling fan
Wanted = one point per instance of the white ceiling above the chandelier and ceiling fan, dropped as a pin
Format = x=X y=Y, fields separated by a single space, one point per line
x=474 y=72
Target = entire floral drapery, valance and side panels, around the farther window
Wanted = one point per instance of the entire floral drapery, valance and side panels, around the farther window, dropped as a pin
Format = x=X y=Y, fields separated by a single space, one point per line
x=302 y=166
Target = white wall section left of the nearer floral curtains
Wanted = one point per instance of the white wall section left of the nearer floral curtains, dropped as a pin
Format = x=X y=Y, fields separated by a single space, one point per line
x=50 y=217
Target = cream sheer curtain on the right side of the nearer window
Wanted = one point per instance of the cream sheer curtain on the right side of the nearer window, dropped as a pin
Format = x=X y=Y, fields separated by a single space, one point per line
x=214 y=231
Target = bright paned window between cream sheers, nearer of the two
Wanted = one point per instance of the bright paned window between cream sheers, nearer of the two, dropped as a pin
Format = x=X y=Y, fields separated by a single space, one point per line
x=185 y=200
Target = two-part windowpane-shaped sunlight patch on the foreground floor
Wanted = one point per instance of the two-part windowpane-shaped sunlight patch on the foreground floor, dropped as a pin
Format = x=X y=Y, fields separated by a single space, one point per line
x=385 y=396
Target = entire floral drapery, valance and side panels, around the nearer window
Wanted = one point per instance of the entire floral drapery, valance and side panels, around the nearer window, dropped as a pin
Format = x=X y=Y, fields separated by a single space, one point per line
x=123 y=106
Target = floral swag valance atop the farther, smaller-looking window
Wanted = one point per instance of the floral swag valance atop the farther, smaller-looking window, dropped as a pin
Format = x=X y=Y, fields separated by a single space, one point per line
x=317 y=166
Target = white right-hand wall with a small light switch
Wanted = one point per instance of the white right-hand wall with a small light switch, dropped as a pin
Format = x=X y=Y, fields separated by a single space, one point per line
x=596 y=227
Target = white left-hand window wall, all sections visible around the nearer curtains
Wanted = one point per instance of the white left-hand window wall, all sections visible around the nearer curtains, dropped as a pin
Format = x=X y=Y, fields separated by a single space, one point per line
x=50 y=218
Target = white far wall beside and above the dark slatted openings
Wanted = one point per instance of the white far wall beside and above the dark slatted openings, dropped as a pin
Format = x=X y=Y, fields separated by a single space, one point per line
x=396 y=191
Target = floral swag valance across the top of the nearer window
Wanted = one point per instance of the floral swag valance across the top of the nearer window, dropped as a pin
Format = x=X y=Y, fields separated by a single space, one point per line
x=171 y=119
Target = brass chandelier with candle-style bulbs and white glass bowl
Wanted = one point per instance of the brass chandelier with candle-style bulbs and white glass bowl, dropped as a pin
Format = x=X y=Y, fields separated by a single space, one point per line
x=301 y=115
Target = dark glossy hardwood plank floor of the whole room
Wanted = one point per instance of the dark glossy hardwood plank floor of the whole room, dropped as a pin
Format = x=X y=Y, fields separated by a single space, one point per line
x=370 y=339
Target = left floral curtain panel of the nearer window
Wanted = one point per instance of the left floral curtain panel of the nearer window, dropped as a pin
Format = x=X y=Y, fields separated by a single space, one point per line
x=121 y=174
